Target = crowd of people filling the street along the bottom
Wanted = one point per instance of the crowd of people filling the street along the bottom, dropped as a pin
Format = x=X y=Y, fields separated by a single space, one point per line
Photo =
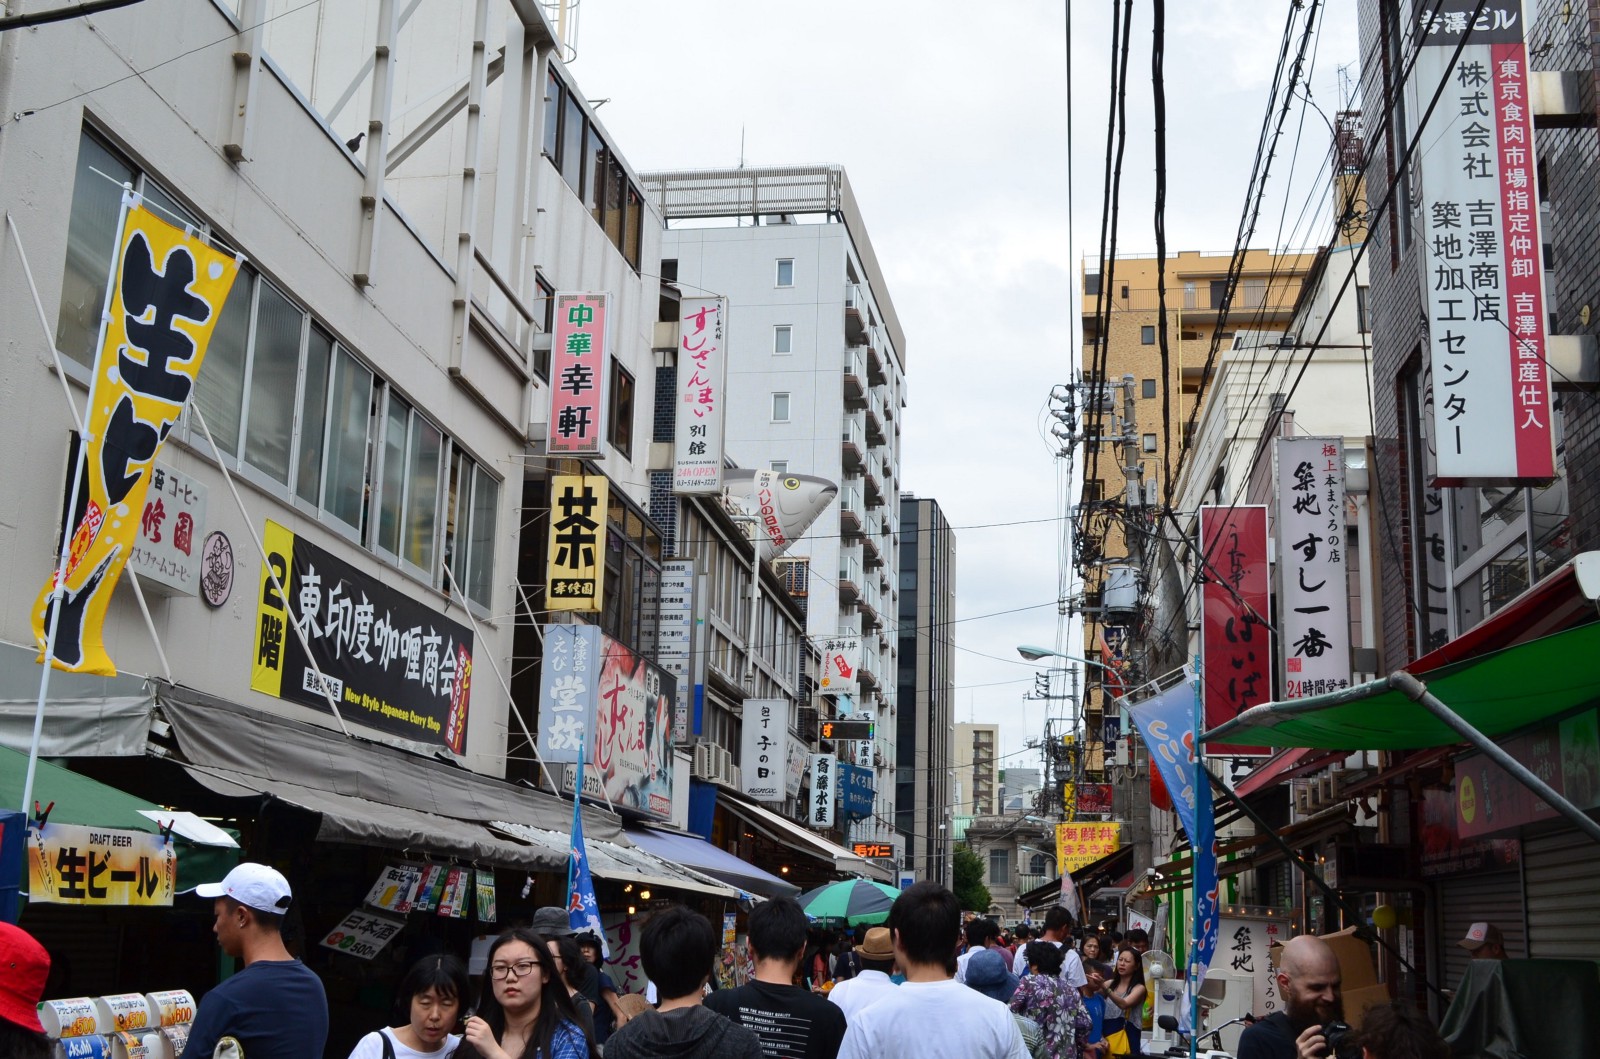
x=919 y=988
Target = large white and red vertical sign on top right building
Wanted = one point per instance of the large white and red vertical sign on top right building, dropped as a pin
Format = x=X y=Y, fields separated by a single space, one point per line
x=1482 y=254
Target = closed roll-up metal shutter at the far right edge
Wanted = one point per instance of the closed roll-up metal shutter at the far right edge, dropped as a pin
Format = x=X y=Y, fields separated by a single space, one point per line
x=1564 y=900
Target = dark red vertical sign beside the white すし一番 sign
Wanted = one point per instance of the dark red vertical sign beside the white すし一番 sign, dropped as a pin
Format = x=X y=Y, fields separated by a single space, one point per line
x=1236 y=631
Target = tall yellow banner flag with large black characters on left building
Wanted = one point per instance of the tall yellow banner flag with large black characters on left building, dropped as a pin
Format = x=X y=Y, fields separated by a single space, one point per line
x=164 y=300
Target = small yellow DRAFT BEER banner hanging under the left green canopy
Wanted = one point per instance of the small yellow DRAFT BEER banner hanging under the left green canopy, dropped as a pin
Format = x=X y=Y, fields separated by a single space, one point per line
x=73 y=865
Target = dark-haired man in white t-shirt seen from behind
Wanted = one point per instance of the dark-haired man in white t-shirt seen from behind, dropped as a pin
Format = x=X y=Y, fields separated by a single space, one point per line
x=930 y=1017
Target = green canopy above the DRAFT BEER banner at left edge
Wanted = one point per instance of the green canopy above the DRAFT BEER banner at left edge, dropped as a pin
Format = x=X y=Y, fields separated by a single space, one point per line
x=92 y=804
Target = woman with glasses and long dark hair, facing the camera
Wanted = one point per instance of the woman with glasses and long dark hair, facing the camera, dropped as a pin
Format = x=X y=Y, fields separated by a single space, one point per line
x=526 y=1012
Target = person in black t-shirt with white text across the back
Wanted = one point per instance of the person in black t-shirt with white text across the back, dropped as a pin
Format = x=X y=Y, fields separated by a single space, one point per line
x=793 y=1023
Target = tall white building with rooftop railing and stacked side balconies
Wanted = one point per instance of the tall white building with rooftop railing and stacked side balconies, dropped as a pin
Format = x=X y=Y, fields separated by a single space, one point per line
x=817 y=385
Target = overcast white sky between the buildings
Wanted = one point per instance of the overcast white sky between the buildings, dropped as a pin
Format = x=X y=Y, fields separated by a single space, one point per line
x=951 y=121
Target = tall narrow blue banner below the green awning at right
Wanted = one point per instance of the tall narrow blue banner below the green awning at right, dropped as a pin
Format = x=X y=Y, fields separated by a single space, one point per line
x=1169 y=729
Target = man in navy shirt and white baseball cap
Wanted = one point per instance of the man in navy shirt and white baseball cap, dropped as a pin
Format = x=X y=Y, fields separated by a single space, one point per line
x=276 y=1007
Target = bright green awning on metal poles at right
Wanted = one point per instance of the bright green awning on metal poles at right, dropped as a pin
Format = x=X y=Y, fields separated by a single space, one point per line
x=1497 y=693
